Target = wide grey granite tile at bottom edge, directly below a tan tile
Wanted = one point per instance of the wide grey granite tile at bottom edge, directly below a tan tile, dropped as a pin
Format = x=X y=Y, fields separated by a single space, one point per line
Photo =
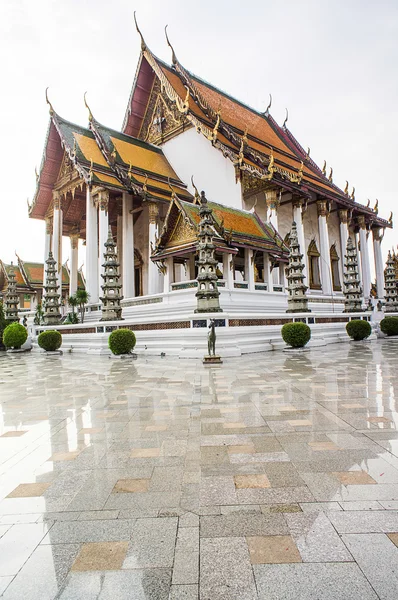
x=312 y=581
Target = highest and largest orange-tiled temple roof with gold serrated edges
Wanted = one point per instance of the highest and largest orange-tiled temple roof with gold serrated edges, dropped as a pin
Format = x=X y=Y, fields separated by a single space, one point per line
x=253 y=141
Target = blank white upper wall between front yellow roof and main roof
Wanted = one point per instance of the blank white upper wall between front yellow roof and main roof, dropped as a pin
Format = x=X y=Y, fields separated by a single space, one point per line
x=191 y=154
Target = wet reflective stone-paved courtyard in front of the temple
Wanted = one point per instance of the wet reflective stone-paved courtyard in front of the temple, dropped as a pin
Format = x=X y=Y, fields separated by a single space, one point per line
x=274 y=476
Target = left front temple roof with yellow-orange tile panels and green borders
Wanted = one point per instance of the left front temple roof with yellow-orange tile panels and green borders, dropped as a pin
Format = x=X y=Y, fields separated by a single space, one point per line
x=104 y=157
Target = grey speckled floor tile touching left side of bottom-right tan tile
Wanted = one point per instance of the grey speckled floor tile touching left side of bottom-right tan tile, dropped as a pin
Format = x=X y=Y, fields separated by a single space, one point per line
x=225 y=570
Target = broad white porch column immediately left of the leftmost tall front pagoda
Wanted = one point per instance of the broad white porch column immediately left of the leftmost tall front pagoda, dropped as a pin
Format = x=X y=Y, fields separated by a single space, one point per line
x=91 y=248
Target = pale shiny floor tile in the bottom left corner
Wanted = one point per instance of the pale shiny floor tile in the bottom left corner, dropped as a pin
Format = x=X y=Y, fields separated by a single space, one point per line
x=43 y=573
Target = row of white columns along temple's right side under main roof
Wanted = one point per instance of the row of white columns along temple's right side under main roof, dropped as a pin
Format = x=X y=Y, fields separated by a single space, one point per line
x=324 y=243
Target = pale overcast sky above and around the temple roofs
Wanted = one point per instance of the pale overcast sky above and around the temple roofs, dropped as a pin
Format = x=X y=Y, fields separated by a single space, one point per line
x=333 y=63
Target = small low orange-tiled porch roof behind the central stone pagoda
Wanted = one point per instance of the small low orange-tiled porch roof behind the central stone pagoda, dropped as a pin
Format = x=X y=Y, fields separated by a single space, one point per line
x=231 y=228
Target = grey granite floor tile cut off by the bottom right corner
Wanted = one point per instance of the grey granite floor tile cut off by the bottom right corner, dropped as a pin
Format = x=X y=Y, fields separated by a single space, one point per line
x=377 y=557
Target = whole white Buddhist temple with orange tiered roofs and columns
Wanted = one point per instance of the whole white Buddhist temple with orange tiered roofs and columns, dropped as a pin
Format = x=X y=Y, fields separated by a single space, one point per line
x=180 y=132
